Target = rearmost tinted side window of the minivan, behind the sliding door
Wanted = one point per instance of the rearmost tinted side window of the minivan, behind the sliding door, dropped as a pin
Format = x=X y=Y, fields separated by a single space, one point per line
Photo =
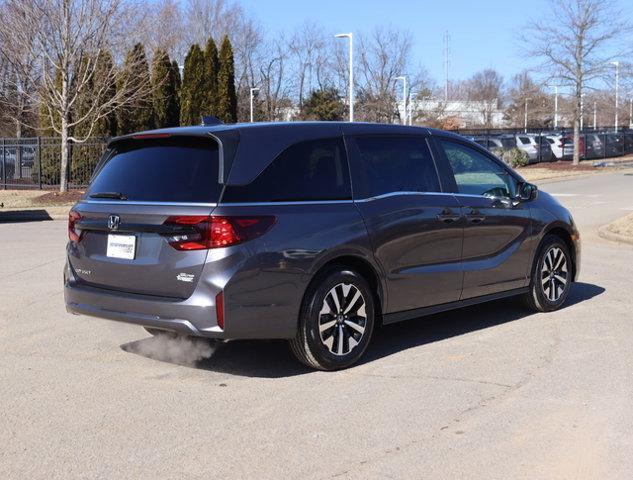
x=311 y=170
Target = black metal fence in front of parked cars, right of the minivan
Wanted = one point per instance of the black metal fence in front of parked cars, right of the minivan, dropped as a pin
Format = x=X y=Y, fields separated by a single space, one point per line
x=556 y=144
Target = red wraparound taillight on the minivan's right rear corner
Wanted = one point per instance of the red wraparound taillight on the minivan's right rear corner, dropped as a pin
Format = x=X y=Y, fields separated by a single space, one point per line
x=199 y=233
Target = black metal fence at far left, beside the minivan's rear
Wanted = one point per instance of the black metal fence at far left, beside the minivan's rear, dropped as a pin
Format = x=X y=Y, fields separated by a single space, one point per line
x=32 y=163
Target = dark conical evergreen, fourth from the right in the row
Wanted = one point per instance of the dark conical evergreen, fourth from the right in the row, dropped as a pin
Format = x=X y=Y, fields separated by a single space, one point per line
x=164 y=89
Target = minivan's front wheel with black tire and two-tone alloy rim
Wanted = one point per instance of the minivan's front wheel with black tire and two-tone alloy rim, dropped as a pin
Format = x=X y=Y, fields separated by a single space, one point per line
x=540 y=297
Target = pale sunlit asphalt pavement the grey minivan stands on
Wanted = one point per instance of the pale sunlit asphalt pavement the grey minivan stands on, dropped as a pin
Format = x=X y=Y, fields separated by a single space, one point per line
x=489 y=392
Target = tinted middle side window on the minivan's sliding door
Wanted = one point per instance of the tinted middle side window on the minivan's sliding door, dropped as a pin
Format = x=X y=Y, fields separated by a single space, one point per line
x=395 y=164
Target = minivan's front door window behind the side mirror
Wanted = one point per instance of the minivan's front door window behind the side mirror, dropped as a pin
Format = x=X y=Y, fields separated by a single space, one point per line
x=476 y=174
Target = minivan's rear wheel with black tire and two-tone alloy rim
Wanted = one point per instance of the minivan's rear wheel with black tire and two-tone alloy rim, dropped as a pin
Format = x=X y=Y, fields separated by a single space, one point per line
x=310 y=346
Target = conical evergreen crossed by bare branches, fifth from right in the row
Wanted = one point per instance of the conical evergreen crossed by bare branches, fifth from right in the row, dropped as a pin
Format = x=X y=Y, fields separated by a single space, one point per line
x=137 y=115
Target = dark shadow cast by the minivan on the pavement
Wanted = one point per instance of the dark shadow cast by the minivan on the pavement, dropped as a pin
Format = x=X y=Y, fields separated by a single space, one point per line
x=273 y=359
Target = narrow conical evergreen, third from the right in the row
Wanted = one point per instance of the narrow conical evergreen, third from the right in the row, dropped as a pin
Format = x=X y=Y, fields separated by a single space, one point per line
x=192 y=91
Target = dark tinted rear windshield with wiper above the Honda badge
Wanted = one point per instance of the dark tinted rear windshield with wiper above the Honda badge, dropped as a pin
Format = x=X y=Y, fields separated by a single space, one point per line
x=162 y=170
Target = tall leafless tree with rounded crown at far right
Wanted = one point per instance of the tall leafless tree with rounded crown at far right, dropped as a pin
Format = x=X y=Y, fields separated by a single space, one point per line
x=576 y=49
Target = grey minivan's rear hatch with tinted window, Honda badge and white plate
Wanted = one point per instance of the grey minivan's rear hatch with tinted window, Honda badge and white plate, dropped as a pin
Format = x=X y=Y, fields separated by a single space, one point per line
x=136 y=228
